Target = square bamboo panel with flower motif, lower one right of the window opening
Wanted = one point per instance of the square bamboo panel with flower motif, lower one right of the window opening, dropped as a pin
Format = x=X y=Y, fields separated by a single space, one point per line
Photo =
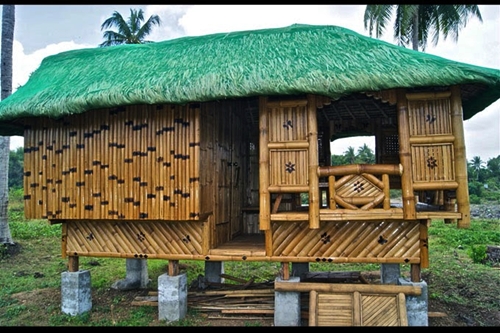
x=433 y=162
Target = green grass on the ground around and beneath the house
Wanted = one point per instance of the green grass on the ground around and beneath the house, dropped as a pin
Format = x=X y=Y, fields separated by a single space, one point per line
x=456 y=275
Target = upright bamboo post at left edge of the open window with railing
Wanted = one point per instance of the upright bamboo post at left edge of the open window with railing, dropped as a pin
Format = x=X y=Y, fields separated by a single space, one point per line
x=314 y=197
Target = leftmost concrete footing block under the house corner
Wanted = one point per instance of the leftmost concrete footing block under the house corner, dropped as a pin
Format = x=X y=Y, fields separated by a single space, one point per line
x=76 y=293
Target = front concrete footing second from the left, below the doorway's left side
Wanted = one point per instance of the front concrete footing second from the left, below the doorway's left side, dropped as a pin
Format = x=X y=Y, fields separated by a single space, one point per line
x=172 y=297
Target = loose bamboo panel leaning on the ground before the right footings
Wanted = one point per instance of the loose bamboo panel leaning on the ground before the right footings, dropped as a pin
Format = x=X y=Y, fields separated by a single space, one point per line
x=357 y=309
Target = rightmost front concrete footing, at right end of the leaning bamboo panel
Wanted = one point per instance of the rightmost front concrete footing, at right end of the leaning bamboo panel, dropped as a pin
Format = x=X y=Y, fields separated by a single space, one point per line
x=417 y=306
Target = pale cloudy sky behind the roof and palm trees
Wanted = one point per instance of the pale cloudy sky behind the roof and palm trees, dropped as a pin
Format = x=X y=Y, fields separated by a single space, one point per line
x=43 y=30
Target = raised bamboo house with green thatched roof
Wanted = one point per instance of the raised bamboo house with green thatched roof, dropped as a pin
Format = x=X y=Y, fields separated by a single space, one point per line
x=216 y=147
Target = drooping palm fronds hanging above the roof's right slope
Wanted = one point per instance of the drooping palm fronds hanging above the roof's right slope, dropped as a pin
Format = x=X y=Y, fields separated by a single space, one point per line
x=414 y=23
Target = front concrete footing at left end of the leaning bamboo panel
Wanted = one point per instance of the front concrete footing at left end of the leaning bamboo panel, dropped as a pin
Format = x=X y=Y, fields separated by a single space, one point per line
x=287 y=306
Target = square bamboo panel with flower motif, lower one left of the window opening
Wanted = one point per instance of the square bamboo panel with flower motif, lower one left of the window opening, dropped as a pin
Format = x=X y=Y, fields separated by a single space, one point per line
x=288 y=167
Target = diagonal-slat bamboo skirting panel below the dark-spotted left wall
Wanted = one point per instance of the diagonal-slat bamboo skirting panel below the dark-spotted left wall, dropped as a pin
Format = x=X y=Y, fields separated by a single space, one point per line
x=140 y=239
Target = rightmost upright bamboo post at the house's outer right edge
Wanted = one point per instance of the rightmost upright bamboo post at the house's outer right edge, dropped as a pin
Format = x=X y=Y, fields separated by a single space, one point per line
x=463 y=204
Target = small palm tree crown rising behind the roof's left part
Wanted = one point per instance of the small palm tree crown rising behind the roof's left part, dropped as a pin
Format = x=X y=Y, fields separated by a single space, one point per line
x=130 y=31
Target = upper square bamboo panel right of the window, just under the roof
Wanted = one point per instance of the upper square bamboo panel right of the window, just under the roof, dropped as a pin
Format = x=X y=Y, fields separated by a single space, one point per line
x=429 y=117
